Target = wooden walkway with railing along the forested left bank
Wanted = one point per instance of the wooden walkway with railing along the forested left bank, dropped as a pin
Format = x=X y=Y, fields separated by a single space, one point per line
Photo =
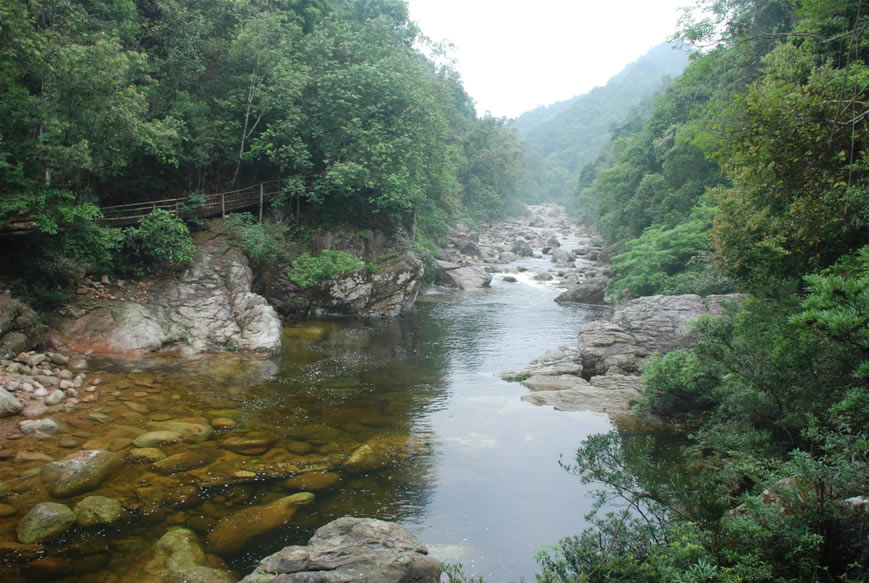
x=210 y=205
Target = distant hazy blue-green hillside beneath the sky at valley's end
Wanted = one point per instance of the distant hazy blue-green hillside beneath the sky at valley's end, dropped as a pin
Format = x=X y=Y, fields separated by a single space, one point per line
x=561 y=138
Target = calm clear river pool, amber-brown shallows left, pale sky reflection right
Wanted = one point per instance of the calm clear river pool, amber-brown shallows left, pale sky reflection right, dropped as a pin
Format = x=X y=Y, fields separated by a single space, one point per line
x=473 y=472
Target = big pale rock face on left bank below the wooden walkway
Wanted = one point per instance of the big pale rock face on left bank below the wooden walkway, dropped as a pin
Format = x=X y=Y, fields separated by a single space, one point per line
x=211 y=307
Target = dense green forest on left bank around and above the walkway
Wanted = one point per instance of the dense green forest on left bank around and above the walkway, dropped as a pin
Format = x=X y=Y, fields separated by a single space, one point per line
x=113 y=101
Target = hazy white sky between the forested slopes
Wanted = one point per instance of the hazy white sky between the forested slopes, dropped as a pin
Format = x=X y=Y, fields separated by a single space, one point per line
x=514 y=55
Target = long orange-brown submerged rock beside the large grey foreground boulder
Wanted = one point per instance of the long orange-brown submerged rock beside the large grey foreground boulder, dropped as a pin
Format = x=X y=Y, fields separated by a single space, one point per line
x=233 y=532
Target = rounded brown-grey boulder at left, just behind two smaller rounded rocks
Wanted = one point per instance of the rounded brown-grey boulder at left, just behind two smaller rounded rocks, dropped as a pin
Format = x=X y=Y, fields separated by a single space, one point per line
x=78 y=472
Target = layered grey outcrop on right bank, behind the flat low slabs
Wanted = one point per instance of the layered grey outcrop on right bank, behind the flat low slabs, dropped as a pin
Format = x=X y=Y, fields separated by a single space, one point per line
x=641 y=328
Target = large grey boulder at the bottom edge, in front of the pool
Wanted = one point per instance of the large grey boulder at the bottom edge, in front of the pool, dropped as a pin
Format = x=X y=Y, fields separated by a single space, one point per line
x=357 y=550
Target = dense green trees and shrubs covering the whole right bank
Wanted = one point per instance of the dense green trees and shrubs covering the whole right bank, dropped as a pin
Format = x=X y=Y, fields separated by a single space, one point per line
x=751 y=174
